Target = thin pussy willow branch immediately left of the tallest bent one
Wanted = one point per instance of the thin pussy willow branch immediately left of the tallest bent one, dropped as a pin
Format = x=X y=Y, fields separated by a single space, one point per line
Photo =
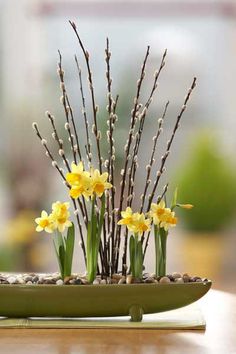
x=84 y=112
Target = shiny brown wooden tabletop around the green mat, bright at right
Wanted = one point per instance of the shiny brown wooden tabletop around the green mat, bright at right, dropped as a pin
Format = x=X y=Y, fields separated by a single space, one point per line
x=219 y=309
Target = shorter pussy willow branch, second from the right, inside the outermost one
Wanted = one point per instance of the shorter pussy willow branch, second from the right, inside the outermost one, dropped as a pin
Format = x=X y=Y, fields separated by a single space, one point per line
x=152 y=160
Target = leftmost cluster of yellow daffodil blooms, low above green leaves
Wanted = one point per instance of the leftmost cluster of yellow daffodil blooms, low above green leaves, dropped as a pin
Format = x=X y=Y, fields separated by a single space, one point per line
x=57 y=220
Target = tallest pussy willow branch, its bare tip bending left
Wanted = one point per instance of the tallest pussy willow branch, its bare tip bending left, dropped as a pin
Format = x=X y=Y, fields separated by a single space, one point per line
x=96 y=132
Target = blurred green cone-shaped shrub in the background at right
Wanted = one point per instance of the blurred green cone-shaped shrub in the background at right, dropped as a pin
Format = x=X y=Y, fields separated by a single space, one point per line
x=207 y=180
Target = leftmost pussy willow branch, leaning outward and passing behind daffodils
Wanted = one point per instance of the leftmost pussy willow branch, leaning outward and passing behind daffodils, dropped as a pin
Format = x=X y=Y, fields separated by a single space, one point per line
x=55 y=165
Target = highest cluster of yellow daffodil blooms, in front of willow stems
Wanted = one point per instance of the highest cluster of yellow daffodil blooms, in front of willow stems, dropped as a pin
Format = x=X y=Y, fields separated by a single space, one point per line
x=86 y=184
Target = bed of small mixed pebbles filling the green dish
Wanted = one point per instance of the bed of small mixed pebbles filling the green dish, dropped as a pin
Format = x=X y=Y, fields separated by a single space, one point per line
x=75 y=279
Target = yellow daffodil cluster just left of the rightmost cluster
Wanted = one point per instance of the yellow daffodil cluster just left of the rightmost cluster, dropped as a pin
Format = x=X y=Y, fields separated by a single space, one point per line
x=135 y=222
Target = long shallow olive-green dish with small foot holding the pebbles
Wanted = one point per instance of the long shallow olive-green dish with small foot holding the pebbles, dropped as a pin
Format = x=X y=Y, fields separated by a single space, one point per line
x=97 y=300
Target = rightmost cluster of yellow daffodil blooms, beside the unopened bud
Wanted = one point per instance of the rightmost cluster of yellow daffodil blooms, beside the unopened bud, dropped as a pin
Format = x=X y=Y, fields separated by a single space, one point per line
x=162 y=216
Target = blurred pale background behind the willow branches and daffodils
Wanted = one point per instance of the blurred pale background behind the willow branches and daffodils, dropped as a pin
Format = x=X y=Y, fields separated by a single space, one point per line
x=201 y=40
